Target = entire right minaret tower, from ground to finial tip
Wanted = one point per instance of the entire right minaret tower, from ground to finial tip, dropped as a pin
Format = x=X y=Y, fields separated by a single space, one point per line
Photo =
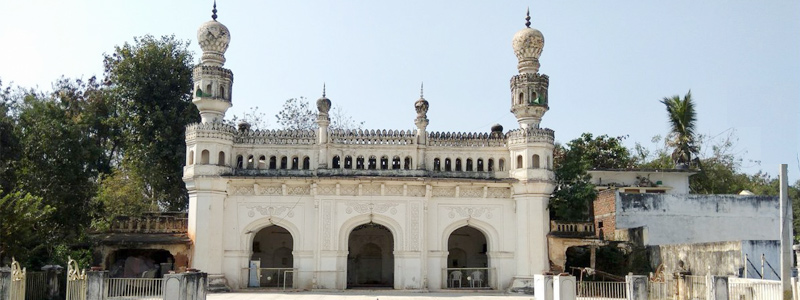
x=531 y=154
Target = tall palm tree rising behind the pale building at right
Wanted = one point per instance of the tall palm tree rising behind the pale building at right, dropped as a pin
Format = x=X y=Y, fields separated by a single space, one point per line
x=682 y=119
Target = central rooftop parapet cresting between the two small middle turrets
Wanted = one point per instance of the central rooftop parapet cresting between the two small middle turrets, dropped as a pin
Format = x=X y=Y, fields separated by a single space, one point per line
x=372 y=137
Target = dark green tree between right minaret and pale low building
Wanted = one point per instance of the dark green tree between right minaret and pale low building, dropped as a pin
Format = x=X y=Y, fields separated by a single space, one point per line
x=574 y=192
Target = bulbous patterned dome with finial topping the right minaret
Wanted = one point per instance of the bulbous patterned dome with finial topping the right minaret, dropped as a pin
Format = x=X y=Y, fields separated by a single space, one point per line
x=528 y=44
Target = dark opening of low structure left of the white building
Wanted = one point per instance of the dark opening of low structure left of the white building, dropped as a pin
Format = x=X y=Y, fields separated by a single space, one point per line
x=138 y=263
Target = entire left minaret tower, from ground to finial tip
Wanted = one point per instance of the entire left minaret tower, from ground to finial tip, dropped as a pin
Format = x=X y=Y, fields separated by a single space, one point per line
x=207 y=190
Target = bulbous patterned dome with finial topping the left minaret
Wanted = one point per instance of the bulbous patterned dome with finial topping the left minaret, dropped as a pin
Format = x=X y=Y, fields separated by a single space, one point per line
x=213 y=38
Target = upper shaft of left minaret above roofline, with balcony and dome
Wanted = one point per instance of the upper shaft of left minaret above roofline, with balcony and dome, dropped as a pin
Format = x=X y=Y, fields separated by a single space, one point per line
x=212 y=82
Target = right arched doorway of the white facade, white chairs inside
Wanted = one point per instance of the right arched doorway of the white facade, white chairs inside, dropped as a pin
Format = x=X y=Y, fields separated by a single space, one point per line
x=467 y=262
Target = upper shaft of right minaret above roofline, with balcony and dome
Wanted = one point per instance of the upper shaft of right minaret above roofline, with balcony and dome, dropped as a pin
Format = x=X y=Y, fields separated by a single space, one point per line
x=529 y=88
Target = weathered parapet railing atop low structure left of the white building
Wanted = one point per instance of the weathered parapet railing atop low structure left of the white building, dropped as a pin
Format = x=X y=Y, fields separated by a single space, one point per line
x=151 y=223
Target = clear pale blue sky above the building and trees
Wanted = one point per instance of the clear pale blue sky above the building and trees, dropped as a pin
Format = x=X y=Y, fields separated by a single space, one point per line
x=609 y=62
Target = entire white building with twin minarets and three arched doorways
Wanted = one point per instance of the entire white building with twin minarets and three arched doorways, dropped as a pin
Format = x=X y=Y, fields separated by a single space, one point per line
x=338 y=209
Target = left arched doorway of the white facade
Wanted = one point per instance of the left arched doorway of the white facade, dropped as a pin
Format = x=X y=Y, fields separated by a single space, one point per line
x=271 y=263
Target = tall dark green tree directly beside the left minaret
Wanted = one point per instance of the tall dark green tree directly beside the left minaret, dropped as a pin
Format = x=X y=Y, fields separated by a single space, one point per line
x=151 y=81
